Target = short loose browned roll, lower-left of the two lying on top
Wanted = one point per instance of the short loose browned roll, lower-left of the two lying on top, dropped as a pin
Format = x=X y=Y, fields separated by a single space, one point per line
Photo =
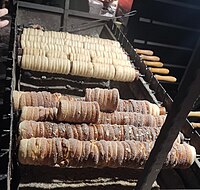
x=78 y=111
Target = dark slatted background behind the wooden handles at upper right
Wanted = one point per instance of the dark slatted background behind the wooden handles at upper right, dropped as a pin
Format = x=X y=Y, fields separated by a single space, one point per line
x=171 y=29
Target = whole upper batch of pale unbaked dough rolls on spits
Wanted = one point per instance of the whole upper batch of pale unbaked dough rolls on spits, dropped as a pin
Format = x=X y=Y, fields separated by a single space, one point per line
x=91 y=57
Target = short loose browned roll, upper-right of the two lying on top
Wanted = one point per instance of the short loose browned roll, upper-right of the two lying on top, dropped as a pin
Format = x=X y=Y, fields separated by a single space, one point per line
x=108 y=99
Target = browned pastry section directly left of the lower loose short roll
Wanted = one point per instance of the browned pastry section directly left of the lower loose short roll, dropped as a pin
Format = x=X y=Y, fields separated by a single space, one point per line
x=38 y=113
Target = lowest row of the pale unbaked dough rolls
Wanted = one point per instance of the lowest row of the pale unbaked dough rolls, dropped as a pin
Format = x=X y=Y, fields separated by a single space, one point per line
x=79 y=68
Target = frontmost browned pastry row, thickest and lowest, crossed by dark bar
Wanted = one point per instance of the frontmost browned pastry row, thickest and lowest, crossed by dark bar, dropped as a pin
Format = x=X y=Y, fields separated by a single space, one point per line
x=72 y=152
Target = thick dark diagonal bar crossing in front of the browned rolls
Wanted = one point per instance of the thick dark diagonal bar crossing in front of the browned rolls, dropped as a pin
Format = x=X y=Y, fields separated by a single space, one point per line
x=188 y=92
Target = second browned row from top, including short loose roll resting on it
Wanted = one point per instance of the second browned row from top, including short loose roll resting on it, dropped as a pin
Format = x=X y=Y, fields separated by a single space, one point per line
x=89 y=112
